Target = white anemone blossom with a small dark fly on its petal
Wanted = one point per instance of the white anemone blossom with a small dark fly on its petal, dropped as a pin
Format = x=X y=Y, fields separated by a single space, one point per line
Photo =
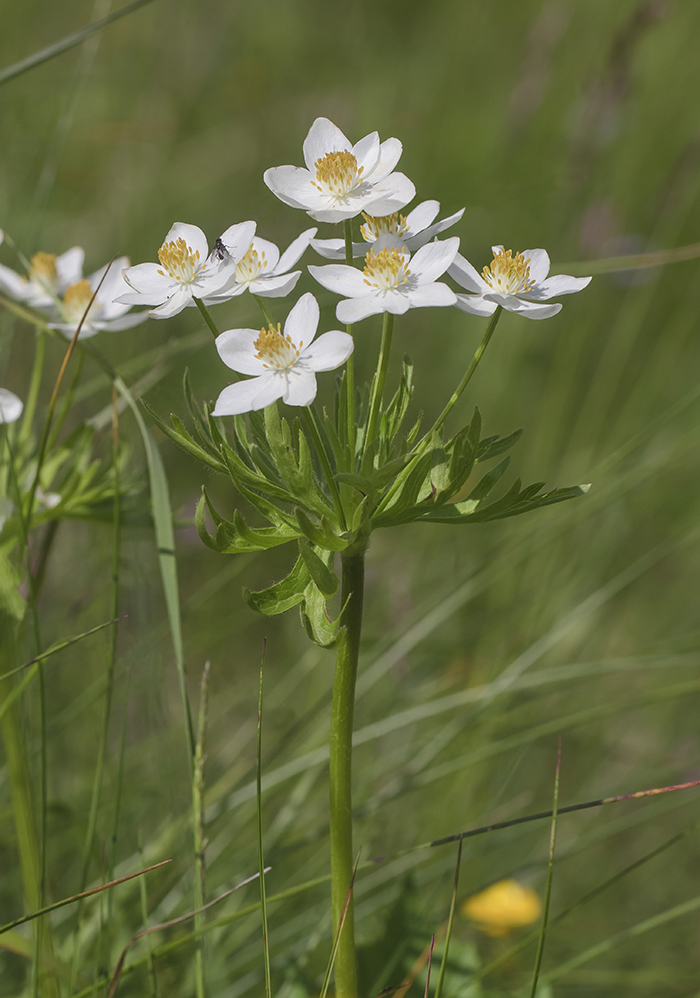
x=186 y=270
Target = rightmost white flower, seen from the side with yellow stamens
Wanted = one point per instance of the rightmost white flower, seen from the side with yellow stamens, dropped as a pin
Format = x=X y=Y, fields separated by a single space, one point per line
x=517 y=283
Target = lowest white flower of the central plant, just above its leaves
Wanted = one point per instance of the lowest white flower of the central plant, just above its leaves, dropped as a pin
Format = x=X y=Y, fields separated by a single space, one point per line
x=284 y=364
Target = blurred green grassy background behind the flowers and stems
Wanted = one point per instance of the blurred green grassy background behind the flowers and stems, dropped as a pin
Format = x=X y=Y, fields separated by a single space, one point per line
x=569 y=124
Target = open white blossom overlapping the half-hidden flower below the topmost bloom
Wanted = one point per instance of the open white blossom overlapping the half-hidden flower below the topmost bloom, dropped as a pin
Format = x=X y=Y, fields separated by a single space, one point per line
x=388 y=283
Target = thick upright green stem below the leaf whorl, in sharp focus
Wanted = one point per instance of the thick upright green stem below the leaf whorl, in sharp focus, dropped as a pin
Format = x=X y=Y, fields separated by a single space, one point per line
x=342 y=858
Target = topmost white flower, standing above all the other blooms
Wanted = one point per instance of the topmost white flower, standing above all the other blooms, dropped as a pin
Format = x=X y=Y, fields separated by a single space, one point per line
x=341 y=180
